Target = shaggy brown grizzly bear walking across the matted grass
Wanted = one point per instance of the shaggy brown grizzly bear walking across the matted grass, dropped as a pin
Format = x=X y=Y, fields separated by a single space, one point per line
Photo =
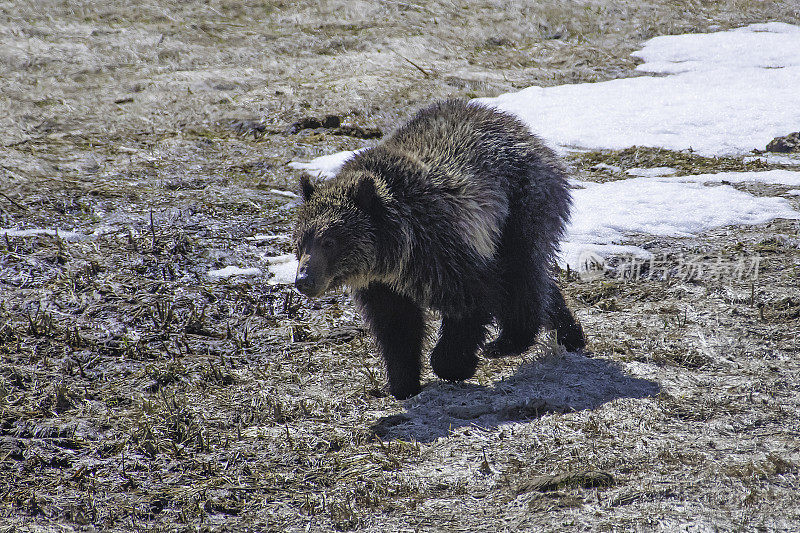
x=461 y=211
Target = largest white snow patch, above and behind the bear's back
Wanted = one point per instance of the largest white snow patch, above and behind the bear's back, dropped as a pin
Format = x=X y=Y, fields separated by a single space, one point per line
x=727 y=93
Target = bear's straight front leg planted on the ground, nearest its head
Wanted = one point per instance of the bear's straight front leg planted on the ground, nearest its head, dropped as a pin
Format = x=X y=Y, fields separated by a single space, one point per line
x=399 y=327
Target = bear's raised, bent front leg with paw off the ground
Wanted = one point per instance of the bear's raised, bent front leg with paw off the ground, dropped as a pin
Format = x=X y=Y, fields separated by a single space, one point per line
x=454 y=356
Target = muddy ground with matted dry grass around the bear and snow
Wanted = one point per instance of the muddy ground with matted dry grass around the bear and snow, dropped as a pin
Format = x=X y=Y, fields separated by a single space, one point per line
x=138 y=393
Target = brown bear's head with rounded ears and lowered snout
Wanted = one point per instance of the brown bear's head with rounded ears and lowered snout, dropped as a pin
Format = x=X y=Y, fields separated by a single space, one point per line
x=335 y=238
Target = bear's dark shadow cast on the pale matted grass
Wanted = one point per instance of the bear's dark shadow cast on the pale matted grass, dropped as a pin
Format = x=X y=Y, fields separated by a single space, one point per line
x=563 y=383
